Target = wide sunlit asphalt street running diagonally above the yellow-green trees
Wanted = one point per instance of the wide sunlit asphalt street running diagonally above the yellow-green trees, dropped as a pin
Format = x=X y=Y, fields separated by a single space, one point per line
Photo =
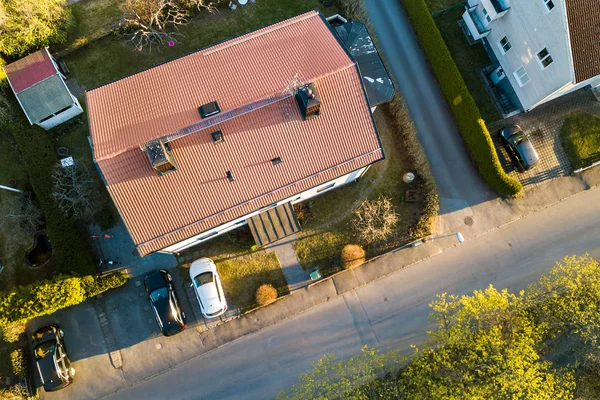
x=388 y=313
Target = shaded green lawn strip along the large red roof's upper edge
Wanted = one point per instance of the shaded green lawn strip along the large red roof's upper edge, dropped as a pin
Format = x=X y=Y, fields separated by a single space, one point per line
x=112 y=58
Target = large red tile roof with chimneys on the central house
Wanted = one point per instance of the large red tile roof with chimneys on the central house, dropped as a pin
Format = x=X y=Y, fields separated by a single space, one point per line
x=162 y=210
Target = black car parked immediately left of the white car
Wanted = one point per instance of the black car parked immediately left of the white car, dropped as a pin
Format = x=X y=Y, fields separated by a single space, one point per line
x=164 y=302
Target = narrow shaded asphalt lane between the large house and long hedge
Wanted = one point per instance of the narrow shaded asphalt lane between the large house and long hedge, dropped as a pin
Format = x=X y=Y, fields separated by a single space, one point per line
x=452 y=167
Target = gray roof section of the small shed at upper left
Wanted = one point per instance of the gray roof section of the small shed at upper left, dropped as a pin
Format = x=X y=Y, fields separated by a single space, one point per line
x=45 y=98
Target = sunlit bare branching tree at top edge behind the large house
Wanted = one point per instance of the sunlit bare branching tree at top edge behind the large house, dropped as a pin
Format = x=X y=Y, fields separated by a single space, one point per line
x=149 y=21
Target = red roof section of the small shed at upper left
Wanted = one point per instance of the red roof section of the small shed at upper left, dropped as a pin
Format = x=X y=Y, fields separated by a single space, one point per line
x=30 y=70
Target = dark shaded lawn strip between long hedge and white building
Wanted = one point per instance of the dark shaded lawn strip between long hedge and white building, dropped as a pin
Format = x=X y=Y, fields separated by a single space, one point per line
x=468 y=59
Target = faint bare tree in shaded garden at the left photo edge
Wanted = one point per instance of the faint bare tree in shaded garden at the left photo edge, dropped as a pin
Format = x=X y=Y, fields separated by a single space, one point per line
x=19 y=217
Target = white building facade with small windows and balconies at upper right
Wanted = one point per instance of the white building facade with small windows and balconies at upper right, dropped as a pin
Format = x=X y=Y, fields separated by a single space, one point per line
x=529 y=41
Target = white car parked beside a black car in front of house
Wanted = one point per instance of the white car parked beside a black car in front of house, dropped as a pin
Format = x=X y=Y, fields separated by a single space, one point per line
x=208 y=289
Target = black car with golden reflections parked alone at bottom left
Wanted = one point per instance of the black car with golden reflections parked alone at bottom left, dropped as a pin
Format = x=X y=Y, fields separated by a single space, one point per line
x=51 y=358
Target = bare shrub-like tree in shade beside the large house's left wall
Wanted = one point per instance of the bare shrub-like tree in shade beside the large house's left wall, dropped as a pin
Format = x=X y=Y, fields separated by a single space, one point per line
x=73 y=190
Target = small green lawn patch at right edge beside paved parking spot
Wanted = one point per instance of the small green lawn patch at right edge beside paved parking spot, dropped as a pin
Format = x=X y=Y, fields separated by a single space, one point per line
x=580 y=137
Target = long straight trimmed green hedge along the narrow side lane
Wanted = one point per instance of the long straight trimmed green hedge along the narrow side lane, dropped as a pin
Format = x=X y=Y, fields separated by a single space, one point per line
x=466 y=113
